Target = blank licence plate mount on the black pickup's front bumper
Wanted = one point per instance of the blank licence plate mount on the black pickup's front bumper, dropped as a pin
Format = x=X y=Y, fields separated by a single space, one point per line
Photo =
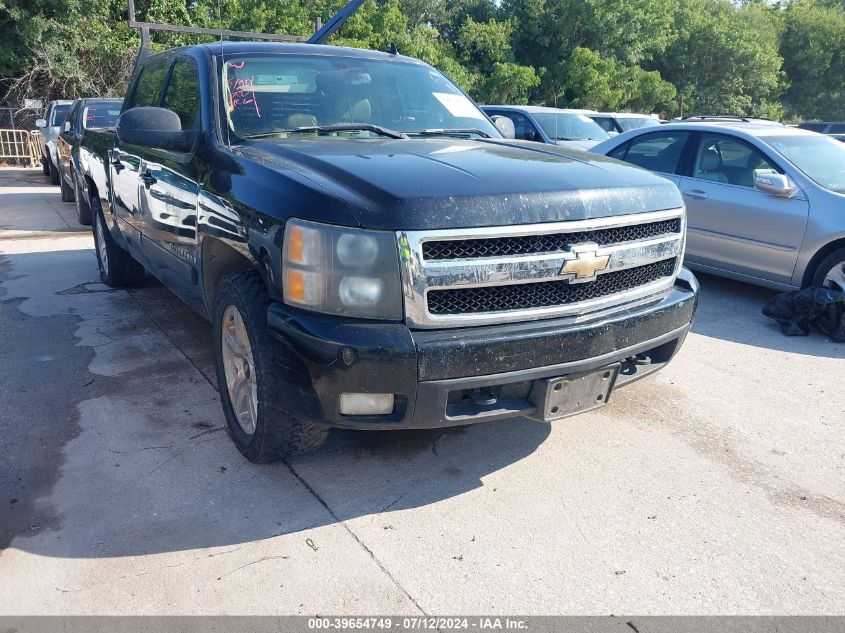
x=557 y=398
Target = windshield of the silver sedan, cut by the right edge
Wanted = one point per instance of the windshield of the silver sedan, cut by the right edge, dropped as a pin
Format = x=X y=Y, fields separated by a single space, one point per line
x=821 y=158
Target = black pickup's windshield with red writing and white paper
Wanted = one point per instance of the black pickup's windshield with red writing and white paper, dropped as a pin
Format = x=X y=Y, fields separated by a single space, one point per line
x=275 y=94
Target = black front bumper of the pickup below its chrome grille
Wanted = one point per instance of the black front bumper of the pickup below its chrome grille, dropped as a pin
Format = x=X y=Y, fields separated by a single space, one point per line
x=450 y=377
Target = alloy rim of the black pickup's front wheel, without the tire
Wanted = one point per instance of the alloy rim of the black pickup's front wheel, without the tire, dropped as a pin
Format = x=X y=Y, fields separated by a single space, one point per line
x=239 y=369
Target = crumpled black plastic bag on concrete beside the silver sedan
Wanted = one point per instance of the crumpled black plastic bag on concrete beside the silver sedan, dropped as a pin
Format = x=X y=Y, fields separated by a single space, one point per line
x=797 y=312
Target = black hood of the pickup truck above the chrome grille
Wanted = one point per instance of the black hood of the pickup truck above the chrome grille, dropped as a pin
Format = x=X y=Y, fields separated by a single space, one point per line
x=408 y=184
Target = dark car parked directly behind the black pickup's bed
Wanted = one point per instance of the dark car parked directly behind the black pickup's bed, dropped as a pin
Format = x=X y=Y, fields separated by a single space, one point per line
x=84 y=115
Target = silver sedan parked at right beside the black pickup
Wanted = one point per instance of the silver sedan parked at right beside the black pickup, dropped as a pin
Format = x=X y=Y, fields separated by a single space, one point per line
x=765 y=202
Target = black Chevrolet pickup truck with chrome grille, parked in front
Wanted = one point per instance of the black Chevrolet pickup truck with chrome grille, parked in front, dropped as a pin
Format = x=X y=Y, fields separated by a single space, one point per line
x=373 y=252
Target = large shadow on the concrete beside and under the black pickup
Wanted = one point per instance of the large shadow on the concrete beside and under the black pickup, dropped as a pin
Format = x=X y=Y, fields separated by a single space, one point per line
x=121 y=442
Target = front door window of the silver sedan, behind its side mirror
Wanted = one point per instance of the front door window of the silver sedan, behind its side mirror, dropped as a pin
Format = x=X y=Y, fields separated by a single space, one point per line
x=729 y=161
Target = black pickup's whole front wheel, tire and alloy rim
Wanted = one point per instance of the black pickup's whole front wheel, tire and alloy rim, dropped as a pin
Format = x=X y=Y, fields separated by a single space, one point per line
x=248 y=362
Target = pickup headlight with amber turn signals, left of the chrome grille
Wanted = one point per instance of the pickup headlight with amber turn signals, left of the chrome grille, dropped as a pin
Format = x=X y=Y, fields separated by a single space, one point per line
x=340 y=270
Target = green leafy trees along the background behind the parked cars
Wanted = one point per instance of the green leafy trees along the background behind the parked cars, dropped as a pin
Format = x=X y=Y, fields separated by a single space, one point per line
x=750 y=57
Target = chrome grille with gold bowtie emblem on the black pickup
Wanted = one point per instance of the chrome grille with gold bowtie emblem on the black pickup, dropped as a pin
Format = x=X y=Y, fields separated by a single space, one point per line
x=464 y=277
